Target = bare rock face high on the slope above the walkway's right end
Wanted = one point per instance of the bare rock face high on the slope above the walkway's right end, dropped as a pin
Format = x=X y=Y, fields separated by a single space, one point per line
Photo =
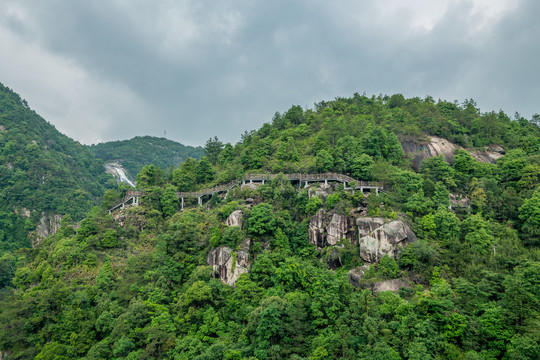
x=436 y=146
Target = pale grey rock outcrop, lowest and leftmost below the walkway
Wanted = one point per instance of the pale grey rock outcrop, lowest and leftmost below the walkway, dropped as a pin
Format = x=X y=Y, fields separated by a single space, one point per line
x=228 y=264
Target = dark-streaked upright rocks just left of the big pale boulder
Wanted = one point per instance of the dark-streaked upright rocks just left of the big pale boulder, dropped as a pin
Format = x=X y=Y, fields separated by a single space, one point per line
x=327 y=229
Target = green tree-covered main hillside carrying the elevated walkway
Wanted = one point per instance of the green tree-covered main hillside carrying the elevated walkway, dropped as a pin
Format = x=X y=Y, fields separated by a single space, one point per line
x=148 y=281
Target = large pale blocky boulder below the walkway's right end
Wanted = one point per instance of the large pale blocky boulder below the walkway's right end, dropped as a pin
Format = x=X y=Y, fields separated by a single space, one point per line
x=377 y=238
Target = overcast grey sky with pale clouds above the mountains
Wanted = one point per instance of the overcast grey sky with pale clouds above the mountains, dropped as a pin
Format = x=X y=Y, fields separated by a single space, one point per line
x=109 y=70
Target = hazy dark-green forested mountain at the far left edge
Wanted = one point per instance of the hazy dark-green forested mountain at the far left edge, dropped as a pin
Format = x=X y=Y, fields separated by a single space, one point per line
x=42 y=173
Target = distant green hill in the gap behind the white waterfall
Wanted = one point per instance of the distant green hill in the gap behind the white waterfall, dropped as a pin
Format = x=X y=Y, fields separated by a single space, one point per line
x=133 y=154
